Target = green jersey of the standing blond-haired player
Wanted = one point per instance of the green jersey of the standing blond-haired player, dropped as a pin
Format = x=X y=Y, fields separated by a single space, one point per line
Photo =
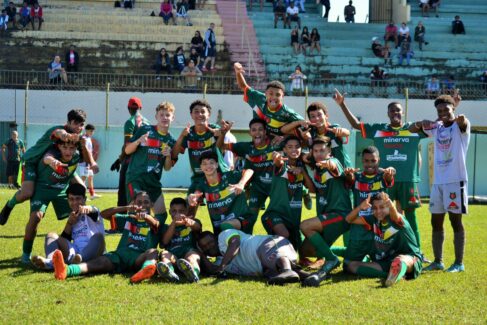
x=148 y=158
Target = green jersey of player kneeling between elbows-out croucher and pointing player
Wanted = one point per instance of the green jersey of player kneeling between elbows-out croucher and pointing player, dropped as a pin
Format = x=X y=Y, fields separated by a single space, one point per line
x=332 y=194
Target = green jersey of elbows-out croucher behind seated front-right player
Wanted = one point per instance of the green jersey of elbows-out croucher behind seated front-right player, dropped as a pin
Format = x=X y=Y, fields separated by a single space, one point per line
x=362 y=187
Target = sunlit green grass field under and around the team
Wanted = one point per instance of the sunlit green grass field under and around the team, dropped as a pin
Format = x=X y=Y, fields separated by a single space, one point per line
x=29 y=296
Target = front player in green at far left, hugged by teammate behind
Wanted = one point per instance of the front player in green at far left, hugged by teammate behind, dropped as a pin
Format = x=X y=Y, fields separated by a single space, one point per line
x=55 y=171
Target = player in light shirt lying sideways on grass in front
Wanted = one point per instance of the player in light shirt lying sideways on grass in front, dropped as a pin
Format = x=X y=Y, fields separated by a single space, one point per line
x=247 y=255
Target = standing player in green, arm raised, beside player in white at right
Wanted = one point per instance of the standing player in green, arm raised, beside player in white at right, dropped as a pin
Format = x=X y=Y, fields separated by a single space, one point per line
x=398 y=148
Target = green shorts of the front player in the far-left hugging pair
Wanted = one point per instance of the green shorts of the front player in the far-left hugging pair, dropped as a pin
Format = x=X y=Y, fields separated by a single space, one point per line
x=43 y=196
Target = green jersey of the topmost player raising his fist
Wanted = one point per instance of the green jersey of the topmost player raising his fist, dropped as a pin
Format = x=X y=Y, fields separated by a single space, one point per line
x=275 y=119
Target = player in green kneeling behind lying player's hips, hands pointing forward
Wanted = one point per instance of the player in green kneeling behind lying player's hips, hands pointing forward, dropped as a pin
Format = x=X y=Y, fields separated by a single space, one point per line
x=283 y=215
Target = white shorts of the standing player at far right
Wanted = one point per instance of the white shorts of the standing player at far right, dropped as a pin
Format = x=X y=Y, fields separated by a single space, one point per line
x=451 y=197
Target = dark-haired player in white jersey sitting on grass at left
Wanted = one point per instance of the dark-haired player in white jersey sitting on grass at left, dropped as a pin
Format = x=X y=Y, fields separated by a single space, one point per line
x=83 y=236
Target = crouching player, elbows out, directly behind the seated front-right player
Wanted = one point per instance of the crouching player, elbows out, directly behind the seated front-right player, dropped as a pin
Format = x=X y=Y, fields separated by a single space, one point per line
x=373 y=179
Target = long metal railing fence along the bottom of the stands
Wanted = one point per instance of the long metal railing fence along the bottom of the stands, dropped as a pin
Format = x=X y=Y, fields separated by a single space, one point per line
x=226 y=84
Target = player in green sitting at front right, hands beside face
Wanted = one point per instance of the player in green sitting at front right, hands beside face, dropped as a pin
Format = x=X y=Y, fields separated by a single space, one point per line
x=396 y=252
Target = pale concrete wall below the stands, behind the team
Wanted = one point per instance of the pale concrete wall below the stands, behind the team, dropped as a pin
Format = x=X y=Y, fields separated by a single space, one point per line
x=51 y=107
